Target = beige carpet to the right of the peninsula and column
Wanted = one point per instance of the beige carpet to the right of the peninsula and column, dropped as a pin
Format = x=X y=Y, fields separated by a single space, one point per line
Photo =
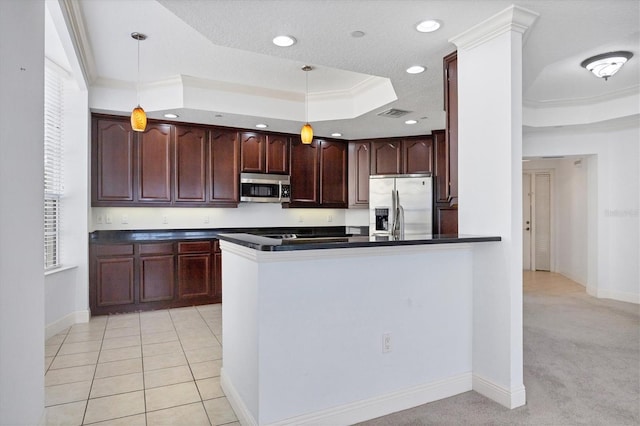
x=581 y=365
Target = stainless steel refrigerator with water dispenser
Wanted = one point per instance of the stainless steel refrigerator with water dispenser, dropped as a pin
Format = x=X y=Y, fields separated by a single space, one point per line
x=400 y=206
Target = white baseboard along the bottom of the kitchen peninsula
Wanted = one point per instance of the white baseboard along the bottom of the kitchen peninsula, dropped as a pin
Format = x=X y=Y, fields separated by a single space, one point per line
x=361 y=410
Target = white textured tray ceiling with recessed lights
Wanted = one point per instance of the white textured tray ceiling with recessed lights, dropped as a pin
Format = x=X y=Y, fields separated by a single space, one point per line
x=227 y=44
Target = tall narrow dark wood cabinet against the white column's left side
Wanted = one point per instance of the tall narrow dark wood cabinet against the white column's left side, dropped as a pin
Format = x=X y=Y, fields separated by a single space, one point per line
x=451 y=107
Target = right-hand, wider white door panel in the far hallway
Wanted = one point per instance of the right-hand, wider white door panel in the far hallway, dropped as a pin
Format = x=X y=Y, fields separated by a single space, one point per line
x=542 y=221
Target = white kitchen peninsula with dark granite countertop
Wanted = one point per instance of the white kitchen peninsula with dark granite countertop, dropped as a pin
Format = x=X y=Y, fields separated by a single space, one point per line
x=341 y=330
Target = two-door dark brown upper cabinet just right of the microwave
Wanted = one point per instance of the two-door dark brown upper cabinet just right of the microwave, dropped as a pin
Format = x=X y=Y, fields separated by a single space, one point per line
x=319 y=174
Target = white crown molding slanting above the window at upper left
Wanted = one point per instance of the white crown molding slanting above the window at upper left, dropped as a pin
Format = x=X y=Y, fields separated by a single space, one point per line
x=72 y=12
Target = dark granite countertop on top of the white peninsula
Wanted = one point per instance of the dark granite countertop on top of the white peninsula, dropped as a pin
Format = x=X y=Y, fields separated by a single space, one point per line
x=262 y=243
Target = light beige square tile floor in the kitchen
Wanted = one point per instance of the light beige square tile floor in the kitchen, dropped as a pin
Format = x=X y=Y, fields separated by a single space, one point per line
x=148 y=368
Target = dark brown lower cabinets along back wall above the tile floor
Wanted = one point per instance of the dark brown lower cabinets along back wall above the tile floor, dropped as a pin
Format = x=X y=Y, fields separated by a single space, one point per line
x=146 y=276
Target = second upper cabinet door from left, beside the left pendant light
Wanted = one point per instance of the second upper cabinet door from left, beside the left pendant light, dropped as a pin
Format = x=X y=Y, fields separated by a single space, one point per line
x=154 y=164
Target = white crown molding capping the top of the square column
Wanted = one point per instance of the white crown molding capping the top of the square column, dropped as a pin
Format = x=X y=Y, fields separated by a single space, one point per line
x=513 y=18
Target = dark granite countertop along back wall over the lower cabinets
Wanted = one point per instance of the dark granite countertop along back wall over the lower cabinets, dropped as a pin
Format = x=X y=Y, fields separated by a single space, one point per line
x=152 y=235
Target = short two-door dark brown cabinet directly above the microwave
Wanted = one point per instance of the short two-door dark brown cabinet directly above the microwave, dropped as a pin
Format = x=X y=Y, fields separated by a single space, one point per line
x=264 y=153
